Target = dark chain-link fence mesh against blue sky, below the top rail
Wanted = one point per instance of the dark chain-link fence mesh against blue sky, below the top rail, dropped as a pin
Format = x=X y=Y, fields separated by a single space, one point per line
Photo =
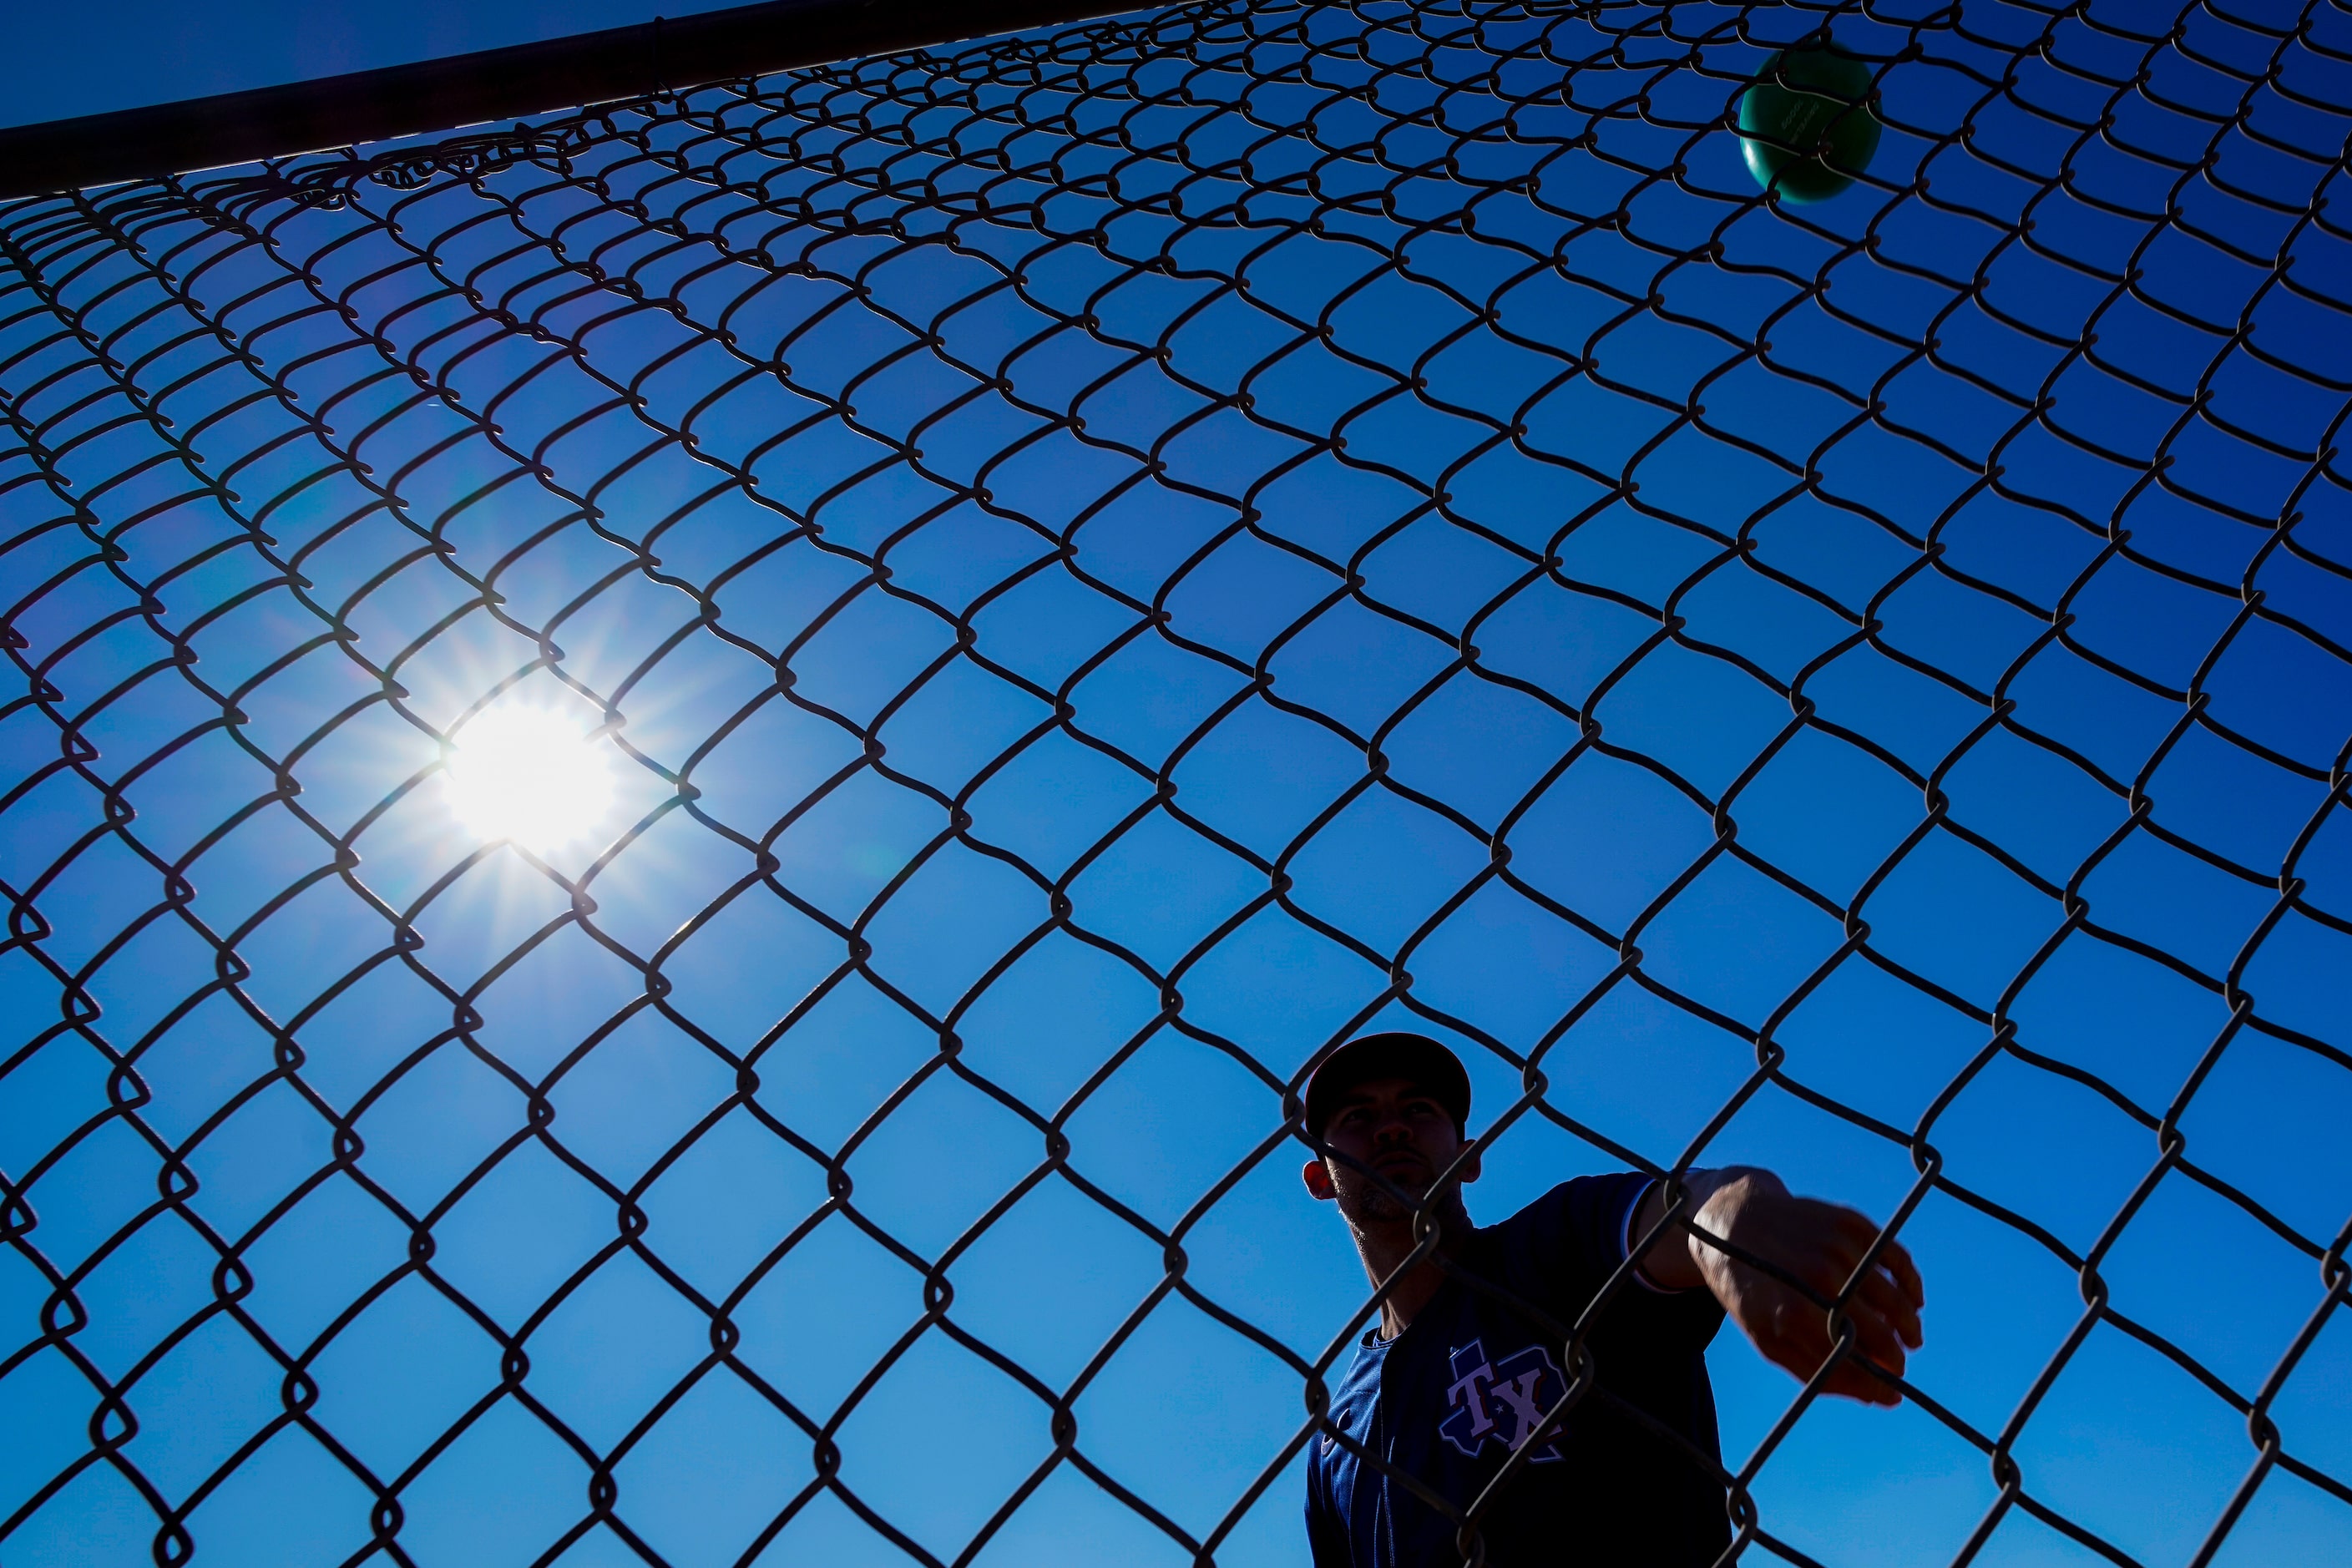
x=1081 y=572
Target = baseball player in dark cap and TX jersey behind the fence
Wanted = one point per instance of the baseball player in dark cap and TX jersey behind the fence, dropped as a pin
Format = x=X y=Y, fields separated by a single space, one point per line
x=1459 y=1374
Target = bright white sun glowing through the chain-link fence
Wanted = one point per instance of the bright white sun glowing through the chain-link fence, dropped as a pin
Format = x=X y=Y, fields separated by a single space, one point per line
x=530 y=777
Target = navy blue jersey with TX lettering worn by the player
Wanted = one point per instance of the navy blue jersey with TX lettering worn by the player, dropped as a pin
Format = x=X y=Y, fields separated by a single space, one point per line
x=1450 y=1398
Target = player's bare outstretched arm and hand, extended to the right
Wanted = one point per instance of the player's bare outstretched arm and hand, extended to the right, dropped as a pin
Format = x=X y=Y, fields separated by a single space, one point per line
x=1810 y=1240
